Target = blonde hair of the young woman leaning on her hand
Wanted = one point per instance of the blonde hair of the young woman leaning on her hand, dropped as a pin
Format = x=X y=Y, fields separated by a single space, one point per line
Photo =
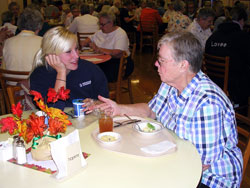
x=55 y=41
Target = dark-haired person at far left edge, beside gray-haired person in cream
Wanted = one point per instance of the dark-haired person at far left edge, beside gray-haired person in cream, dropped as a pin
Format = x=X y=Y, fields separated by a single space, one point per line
x=8 y=20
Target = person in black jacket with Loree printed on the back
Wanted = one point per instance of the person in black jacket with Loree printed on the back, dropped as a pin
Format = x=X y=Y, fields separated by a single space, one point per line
x=230 y=40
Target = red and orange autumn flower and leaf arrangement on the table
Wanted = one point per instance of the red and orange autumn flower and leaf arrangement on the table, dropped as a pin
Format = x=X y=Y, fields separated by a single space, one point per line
x=35 y=126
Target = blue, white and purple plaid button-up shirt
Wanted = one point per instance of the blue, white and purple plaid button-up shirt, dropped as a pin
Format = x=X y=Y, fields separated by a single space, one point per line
x=203 y=115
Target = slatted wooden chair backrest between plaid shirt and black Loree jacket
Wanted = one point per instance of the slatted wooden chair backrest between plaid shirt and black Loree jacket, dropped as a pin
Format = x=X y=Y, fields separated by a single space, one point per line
x=217 y=69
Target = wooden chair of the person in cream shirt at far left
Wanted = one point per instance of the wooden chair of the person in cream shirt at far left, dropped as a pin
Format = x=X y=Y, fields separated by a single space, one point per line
x=10 y=78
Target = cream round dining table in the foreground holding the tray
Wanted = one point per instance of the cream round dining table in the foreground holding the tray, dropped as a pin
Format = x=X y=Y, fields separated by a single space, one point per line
x=110 y=169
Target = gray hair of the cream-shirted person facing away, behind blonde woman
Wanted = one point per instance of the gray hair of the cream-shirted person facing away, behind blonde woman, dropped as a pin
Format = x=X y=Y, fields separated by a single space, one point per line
x=30 y=19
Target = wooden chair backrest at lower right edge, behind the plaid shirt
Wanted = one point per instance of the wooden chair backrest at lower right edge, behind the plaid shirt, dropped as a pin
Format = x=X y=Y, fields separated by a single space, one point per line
x=243 y=126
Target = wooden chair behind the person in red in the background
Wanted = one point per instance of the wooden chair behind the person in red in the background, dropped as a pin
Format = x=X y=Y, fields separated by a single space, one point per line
x=149 y=35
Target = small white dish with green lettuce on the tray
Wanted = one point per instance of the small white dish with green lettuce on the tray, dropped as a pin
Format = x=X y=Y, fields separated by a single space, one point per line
x=145 y=130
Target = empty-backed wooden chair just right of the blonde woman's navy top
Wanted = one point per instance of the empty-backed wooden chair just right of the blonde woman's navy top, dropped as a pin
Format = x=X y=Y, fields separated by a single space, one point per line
x=117 y=88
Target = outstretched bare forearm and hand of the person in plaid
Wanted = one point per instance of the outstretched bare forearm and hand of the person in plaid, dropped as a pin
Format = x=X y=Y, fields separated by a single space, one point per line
x=139 y=109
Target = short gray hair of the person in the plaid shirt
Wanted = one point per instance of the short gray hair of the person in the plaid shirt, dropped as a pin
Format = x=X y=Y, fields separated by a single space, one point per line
x=185 y=46
